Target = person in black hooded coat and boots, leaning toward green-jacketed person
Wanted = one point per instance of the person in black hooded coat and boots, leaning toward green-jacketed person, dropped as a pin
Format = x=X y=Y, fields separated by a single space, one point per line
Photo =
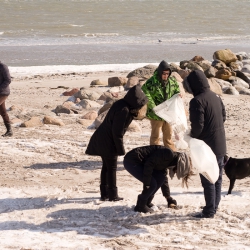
x=107 y=140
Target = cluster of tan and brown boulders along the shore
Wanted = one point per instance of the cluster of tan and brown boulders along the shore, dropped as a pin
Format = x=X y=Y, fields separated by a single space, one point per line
x=228 y=73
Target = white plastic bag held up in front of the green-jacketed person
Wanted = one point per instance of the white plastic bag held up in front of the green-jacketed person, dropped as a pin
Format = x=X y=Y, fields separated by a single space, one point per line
x=173 y=112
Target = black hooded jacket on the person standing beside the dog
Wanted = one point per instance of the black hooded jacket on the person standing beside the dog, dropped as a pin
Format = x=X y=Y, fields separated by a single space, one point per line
x=207 y=114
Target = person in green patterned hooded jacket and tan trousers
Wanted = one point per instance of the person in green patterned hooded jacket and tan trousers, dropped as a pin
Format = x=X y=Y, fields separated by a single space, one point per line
x=159 y=88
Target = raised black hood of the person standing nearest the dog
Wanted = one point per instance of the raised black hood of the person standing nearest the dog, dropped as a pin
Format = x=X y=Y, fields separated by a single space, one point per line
x=197 y=82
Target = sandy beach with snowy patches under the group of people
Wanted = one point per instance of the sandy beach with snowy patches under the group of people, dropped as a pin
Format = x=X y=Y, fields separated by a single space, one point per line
x=49 y=189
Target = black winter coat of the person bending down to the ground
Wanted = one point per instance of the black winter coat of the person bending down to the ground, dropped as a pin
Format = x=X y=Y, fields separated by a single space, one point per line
x=153 y=157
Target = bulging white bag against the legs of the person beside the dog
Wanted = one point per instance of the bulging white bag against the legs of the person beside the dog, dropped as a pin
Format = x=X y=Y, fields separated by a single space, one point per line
x=204 y=159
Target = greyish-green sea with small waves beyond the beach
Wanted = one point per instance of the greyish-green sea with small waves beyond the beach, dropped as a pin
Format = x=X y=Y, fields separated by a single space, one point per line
x=90 y=32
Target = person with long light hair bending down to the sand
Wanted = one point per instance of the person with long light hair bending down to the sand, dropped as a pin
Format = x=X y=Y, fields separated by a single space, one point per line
x=149 y=164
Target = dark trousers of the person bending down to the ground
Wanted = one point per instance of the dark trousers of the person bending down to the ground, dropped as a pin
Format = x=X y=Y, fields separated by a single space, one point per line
x=157 y=179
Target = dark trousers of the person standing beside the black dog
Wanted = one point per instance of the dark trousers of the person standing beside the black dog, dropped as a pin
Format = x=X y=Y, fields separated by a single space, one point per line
x=212 y=192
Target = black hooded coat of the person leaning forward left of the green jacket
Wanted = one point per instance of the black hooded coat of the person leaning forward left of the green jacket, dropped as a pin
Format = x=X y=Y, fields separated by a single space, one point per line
x=107 y=140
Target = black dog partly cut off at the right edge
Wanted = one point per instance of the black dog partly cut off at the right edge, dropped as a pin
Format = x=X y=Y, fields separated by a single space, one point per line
x=236 y=169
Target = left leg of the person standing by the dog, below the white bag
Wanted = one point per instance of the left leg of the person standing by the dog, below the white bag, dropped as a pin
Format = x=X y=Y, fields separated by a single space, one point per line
x=209 y=193
